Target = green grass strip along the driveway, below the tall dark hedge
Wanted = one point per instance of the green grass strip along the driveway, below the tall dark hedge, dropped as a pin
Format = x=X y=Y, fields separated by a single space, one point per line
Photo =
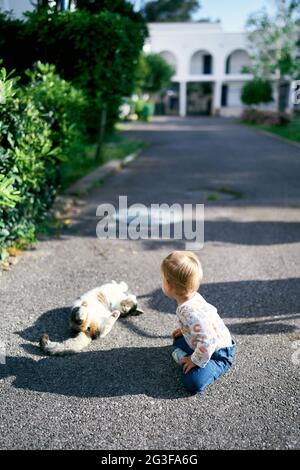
x=116 y=146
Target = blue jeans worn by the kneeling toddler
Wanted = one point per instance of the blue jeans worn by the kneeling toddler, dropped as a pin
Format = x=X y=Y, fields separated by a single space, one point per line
x=198 y=378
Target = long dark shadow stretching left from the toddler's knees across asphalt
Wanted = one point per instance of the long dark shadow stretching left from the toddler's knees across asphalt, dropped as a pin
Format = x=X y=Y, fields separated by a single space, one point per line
x=117 y=372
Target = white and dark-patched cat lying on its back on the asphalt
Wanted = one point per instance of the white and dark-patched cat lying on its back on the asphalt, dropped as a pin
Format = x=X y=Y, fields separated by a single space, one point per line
x=93 y=315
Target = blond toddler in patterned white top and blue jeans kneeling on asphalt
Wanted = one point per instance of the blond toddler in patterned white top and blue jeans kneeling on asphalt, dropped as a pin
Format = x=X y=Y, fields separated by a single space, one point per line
x=203 y=345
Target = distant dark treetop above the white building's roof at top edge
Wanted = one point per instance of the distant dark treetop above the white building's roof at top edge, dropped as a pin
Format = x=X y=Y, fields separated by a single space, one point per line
x=170 y=10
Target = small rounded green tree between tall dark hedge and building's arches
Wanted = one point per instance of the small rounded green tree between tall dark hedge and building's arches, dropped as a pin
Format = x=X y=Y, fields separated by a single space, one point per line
x=153 y=74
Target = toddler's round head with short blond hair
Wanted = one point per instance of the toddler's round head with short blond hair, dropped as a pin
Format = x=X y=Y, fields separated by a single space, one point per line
x=183 y=271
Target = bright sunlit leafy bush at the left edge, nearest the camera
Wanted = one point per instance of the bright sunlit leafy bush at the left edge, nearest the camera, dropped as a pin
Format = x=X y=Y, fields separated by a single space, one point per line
x=36 y=126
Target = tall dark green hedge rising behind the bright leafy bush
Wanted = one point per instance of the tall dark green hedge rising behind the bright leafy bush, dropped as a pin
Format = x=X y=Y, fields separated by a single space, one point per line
x=97 y=52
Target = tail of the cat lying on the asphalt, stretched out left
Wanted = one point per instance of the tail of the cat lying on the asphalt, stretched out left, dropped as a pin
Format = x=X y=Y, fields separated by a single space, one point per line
x=70 y=346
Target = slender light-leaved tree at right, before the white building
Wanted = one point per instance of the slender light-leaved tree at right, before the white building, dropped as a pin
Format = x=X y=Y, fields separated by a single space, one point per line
x=272 y=45
